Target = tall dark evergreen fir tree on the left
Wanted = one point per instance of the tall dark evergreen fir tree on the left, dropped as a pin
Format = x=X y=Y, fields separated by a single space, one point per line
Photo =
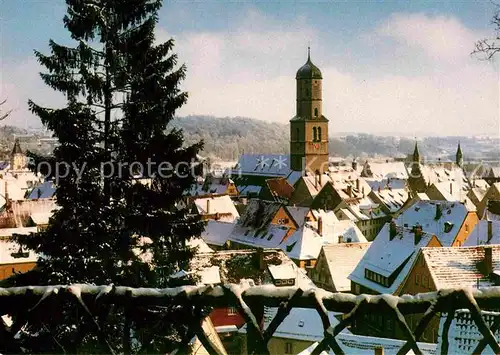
x=119 y=172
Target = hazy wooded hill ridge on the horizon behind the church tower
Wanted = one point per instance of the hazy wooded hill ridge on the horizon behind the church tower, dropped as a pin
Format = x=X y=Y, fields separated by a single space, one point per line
x=227 y=138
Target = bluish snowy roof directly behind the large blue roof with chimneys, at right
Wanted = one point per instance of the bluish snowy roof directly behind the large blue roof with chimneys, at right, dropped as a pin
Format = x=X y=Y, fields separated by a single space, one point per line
x=424 y=214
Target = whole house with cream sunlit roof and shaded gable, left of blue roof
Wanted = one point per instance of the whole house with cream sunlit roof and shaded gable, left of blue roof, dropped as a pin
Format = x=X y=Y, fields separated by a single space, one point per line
x=335 y=263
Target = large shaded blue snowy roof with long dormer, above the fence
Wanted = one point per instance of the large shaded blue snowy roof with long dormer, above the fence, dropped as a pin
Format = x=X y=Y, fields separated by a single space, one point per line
x=391 y=258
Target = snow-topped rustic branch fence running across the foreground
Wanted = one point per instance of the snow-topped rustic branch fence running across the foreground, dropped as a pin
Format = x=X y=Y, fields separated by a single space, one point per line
x=247 y=299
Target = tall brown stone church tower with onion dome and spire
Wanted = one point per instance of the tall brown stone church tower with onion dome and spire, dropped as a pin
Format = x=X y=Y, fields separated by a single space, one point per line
x=309 y=128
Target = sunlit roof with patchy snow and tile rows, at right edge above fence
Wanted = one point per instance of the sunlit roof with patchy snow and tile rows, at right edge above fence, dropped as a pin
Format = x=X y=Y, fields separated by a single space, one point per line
x=460 y=267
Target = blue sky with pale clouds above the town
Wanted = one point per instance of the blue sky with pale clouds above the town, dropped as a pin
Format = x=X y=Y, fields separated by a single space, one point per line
x=389 y=67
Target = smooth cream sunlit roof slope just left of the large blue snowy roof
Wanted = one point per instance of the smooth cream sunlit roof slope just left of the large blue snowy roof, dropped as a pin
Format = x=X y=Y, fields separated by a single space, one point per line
x=342 y=258
